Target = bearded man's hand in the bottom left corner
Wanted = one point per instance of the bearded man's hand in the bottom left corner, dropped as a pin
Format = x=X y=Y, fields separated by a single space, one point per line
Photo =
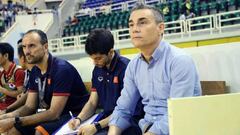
x=6 y=124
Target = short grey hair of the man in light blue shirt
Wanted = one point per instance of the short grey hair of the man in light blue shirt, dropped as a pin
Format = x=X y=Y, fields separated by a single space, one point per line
x=158 y=15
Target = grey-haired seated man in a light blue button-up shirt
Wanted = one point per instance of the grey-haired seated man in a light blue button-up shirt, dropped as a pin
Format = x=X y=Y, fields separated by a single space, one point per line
x=159 y=72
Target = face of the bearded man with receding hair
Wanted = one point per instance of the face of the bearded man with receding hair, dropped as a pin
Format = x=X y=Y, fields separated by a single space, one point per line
x=33 y=49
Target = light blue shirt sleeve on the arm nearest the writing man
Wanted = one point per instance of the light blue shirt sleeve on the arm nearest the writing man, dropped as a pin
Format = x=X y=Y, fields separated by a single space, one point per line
x=126 y=103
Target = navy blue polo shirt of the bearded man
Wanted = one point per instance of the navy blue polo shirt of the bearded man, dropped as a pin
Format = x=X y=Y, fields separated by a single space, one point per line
x=62 y=80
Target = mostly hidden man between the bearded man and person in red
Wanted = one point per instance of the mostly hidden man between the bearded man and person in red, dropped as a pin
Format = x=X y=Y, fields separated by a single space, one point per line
x=21 y=98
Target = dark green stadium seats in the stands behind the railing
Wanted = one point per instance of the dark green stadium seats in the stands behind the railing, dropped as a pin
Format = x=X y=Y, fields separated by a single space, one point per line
x=119 y=19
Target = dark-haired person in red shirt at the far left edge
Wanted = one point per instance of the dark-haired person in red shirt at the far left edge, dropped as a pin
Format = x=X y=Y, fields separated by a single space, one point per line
x=11 y=78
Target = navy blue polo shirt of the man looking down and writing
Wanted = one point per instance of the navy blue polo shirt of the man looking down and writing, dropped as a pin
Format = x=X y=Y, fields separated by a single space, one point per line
x=108 y=83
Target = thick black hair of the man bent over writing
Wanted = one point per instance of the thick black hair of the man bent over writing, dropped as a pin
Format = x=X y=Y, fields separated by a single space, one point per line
x=99 y=41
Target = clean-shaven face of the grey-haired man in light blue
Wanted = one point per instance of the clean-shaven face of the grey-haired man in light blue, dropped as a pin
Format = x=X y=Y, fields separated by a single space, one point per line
x=143 y=28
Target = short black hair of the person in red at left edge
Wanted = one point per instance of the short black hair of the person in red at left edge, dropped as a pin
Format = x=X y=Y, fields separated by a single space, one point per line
x=6 y=48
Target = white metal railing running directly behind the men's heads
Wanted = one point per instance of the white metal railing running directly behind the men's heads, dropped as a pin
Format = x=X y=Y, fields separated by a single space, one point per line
x=209 y=23
